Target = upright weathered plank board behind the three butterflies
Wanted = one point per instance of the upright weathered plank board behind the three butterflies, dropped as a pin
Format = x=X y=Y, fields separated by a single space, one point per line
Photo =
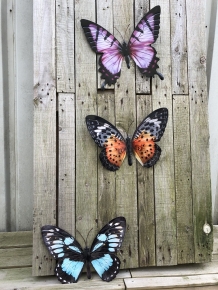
x=167 y=206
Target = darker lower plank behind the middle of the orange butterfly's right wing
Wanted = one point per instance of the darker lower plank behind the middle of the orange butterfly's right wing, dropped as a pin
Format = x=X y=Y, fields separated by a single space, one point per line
x=146 y=215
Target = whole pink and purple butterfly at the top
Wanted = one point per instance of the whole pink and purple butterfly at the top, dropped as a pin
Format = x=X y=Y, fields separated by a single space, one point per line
x=138 y=48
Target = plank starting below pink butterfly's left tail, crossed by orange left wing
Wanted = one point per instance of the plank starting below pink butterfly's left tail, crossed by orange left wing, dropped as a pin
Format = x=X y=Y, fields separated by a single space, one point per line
x=106 y=180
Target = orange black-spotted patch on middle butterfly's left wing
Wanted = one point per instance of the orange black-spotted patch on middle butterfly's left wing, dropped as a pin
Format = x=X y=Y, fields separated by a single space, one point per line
x=115 y=150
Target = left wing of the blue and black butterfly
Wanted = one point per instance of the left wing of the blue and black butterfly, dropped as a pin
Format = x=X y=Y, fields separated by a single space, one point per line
x=64 y=248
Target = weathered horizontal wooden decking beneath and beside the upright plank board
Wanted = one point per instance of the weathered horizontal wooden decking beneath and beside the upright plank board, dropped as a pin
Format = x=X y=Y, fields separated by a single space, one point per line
x=16 y=271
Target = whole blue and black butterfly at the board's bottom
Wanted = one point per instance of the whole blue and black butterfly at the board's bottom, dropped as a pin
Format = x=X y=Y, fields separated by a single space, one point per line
x=71 y=257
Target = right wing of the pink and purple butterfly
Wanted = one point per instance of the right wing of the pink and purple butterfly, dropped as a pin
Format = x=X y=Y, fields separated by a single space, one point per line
x=140 y=49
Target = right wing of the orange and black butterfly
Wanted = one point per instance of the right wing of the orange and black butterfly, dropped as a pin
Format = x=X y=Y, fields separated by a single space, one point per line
x=151 y=129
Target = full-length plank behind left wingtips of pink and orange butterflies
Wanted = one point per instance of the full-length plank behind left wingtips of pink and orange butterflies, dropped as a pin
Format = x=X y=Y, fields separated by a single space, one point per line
x=86 y=149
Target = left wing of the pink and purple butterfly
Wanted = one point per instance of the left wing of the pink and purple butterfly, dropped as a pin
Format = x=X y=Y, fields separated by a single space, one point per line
x=102 y=41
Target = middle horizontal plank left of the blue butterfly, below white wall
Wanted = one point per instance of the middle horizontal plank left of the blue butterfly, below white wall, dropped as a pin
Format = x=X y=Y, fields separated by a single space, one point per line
x=16 y=257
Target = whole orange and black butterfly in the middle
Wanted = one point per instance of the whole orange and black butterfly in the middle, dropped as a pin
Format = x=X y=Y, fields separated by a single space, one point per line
x=143 y=143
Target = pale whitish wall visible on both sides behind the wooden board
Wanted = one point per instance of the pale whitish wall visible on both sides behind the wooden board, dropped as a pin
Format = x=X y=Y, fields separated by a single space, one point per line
x=16 y=111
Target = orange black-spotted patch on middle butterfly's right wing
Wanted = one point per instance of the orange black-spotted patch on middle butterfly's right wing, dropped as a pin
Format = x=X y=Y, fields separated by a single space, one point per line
x=144 y=147
